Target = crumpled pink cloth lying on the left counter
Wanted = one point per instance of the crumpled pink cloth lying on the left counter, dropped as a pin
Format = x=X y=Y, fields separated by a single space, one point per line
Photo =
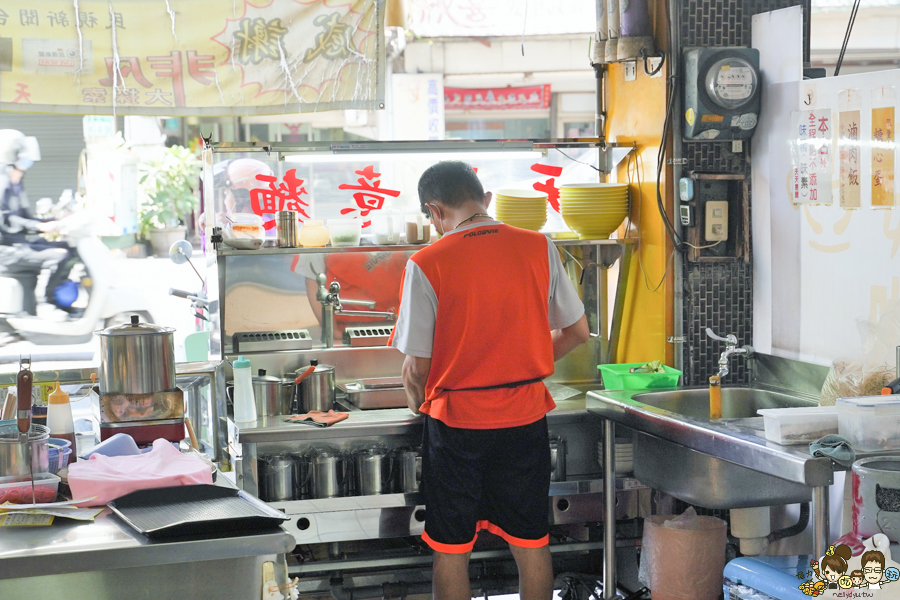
x=109 y=477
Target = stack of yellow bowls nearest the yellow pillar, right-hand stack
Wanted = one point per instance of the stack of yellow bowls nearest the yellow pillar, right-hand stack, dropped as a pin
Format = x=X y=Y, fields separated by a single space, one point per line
x=594 y=210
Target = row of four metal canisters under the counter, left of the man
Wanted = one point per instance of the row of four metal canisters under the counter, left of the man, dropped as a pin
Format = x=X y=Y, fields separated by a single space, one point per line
x=330 y=473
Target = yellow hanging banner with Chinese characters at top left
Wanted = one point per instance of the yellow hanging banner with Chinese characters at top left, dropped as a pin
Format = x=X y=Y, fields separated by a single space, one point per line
x=203 y=57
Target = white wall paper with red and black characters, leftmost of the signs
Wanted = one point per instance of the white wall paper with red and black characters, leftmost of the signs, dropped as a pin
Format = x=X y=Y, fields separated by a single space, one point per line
x=811 y=157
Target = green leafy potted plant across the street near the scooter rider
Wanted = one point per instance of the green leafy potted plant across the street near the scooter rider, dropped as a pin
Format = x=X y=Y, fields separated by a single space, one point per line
x=167 y=196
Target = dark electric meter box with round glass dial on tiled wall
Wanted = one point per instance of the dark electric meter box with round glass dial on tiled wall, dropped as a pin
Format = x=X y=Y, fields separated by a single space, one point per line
x=722 y=90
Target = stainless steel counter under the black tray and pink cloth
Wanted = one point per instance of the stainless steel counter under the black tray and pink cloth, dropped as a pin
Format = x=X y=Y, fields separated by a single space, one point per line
x=106 y=560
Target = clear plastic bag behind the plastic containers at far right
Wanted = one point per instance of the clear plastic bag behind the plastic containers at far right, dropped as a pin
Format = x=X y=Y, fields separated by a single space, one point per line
x=867 y=374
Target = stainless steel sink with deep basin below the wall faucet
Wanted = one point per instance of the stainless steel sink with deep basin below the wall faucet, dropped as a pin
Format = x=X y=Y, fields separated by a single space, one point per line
x=715 y=463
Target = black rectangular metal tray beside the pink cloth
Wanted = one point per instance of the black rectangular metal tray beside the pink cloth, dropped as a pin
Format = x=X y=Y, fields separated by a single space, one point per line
x=194 y=510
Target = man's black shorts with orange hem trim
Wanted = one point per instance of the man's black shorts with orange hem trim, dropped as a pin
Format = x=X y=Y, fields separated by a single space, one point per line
x=494 y=479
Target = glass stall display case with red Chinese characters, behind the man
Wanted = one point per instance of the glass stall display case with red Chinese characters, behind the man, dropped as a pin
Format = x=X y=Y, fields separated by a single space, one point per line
x=277 y=291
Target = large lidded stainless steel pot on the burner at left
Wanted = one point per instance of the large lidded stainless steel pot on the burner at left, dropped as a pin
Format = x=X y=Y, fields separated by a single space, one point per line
x=137 y=358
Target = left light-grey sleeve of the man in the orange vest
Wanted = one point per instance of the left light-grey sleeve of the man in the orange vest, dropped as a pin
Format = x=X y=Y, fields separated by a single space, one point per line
x=414 y=330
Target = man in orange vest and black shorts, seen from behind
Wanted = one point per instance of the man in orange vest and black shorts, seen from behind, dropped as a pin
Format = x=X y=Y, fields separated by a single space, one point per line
x=485 y=312
